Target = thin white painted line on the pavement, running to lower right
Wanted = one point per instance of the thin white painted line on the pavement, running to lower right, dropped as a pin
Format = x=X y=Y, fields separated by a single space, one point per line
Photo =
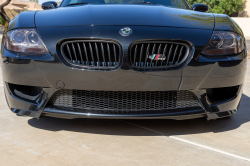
x=192 y=143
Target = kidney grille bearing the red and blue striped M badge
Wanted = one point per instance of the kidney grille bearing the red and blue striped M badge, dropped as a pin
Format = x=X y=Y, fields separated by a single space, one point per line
x=159 y=55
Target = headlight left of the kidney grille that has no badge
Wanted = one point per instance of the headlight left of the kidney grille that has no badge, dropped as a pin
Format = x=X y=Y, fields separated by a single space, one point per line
x=24 y=42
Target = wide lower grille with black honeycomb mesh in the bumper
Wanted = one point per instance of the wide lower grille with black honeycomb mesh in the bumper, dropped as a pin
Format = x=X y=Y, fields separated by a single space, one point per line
x=123 y=102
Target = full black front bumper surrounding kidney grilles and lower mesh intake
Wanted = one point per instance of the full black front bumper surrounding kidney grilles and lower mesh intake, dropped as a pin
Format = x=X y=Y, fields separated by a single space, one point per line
x=49 y=73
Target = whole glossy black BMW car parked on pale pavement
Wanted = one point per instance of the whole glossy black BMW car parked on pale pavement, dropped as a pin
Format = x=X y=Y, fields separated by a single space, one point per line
x=131 y=59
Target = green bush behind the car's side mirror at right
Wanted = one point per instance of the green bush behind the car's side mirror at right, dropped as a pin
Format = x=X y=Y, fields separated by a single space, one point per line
x=228 y=7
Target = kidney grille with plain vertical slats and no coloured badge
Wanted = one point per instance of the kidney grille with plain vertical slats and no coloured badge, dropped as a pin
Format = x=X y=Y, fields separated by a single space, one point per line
x=92 y=54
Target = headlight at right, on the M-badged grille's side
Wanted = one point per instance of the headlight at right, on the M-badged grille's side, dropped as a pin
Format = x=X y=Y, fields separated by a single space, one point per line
x=224 y=43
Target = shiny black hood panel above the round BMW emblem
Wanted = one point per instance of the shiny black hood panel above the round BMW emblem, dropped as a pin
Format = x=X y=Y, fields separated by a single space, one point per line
x=124 y=15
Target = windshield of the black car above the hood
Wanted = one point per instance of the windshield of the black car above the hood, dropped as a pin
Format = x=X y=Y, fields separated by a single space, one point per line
x=170 y=3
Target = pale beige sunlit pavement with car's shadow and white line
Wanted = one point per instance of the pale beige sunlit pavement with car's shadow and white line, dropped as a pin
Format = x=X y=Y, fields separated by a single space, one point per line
x=51 y=141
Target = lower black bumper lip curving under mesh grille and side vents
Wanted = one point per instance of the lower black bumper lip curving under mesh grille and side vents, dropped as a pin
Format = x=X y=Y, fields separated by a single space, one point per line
x=39 y=108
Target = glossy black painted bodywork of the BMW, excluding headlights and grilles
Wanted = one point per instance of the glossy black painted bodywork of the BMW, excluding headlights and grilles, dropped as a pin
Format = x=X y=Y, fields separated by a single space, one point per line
x=104 y=22
